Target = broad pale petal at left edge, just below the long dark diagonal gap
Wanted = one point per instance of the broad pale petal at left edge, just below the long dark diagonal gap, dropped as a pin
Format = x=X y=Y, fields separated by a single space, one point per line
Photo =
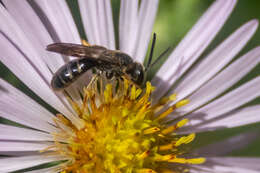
x=18 y=107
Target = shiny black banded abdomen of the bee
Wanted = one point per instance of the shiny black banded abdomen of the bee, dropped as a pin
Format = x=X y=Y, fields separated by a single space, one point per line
x=70 y=72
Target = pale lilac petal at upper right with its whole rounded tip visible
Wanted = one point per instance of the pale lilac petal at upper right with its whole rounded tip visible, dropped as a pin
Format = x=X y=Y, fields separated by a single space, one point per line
x=218 y=59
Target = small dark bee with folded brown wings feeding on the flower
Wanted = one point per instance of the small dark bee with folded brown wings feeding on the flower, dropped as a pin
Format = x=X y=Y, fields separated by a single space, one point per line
x=112 y=63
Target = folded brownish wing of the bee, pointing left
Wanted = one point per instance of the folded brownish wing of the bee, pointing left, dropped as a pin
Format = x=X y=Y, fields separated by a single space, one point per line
x=76 y=50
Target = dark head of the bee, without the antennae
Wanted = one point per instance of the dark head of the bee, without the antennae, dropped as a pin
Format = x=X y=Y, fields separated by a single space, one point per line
x=135 y=72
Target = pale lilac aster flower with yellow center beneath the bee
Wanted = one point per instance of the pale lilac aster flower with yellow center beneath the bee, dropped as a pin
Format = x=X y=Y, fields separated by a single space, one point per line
x=114 y=127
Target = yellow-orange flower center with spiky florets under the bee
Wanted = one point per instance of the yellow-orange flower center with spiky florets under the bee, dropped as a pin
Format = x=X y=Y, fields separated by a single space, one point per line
x=122 y=133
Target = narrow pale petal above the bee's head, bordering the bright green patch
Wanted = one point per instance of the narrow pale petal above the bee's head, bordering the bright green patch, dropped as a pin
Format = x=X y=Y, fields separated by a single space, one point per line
x=146 y=19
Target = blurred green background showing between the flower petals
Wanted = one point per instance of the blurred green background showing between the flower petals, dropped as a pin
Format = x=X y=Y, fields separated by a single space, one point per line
x=174 y=19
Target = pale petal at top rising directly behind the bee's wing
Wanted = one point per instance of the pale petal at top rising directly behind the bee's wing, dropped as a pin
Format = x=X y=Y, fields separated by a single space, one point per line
x=98 y=23
